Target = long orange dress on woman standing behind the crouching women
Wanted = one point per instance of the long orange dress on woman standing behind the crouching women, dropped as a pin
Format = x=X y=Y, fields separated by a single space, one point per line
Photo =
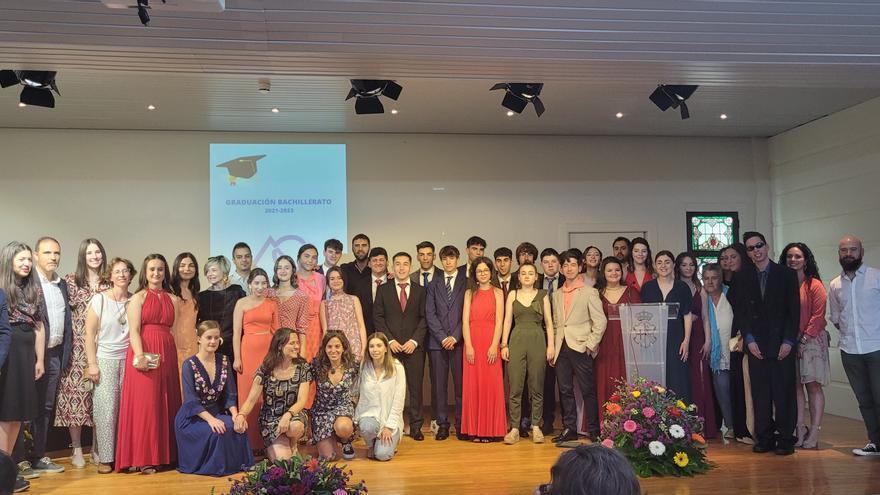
x=257 y=327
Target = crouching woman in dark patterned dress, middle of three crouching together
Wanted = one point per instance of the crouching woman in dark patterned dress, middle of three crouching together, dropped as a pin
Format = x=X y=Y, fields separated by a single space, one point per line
x=336 y=375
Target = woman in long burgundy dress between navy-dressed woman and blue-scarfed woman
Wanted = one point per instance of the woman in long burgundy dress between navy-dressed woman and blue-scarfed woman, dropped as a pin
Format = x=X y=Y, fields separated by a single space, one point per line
x=700 y=345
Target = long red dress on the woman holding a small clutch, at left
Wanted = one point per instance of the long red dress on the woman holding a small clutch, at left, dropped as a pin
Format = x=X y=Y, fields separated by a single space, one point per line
x=150 y=399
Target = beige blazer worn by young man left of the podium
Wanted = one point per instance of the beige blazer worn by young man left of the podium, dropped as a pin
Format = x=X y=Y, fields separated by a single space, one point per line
x=582 y=329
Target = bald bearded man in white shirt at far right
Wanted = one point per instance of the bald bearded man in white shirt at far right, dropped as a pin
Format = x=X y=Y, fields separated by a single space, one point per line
x=854 y=296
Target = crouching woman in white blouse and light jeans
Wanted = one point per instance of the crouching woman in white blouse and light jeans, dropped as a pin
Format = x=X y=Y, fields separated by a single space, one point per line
x=379 y=412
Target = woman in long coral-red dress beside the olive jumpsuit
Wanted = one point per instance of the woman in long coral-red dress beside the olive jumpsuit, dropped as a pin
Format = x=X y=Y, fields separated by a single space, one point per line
x=483 y=414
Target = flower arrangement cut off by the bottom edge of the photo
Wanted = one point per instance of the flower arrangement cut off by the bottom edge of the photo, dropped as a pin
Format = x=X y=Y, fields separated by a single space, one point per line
x=297 y=476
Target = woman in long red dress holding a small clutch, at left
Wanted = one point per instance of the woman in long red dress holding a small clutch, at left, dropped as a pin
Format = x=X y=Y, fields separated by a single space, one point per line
x=150 y=395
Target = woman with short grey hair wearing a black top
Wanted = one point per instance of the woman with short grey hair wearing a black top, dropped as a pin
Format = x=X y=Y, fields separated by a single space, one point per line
x=217 y=302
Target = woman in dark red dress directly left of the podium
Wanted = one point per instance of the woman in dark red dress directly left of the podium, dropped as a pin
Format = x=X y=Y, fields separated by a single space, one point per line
x=610 y=363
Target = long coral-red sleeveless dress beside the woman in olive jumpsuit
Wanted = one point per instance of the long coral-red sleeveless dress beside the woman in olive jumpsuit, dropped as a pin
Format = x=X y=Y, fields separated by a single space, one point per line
x=482 y=399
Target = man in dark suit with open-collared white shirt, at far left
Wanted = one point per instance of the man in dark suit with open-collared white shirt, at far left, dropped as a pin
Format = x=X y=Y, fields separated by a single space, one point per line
x=56 y=357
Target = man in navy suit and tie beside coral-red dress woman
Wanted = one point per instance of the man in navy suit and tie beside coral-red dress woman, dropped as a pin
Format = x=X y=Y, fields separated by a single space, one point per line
x=445 y=303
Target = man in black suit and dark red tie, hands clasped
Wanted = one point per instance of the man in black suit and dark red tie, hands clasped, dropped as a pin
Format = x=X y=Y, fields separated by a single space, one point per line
x=399 y=313
